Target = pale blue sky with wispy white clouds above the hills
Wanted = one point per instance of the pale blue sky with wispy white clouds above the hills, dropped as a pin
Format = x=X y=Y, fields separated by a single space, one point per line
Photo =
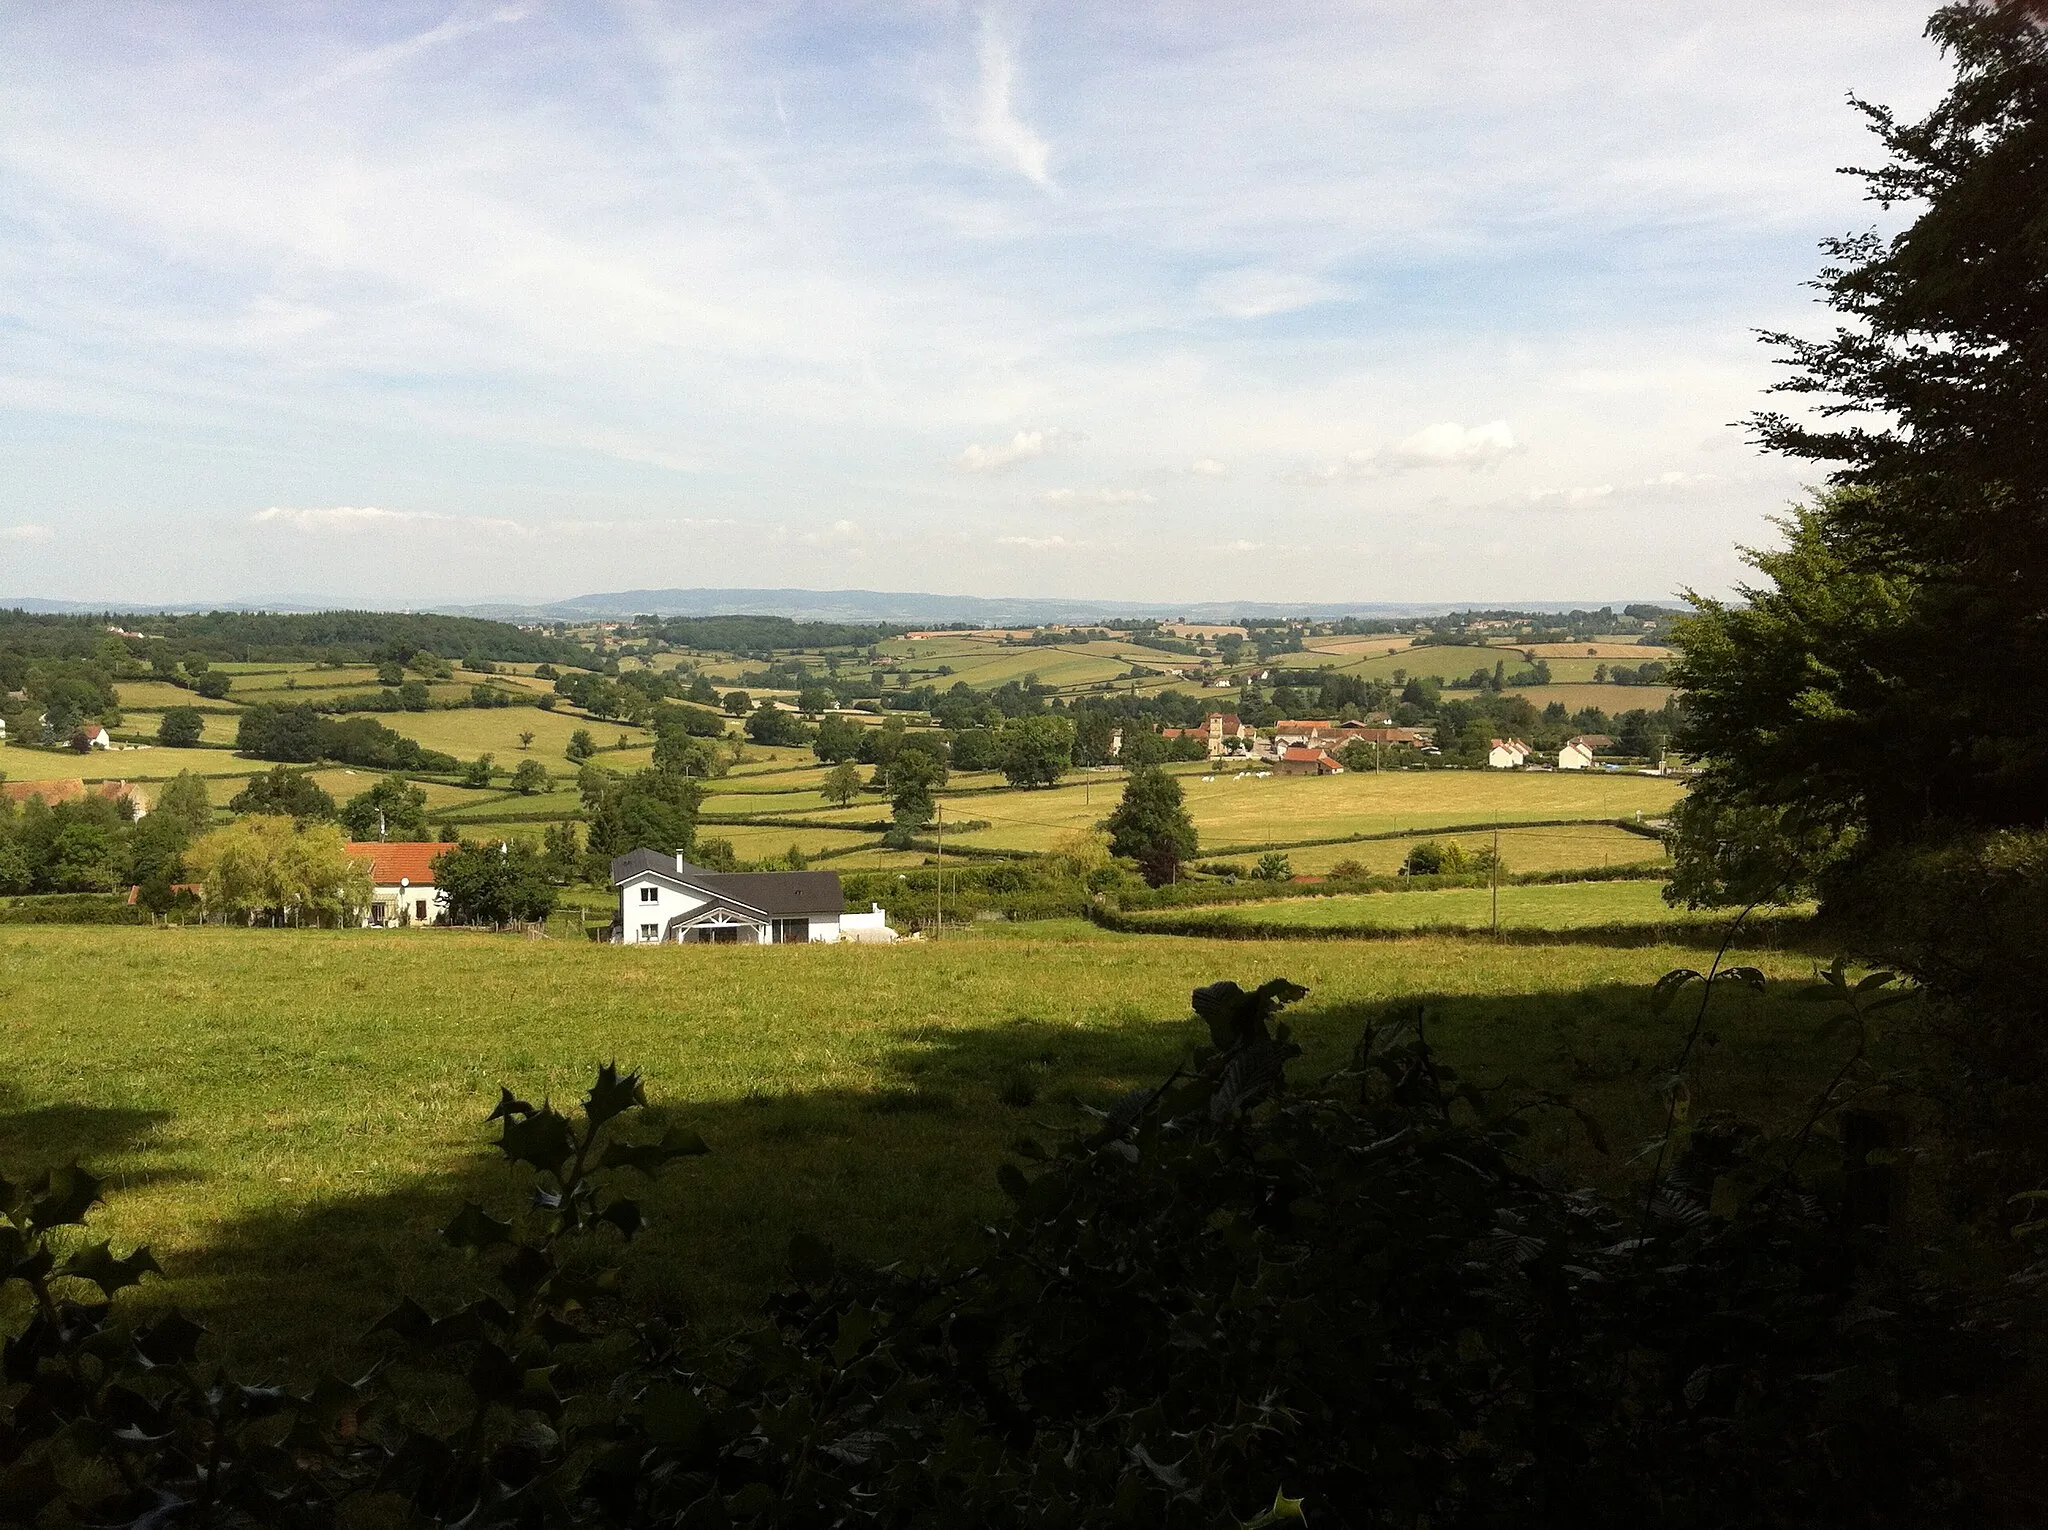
x=411 y=304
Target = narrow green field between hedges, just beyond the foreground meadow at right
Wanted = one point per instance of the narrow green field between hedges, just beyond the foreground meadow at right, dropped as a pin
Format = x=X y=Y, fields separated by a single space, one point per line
x=1543 y=906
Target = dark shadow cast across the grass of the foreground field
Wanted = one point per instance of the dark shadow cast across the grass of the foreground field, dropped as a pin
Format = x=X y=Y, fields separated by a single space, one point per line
x=906 y=1171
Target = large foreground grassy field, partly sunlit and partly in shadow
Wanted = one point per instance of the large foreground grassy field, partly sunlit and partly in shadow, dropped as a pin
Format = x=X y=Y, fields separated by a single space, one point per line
x=288 y=1117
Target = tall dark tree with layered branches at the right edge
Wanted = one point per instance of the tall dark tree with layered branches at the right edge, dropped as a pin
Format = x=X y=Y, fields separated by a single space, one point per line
x=1934 y=417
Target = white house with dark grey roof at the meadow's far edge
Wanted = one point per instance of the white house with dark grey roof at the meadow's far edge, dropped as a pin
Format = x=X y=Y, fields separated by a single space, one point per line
x=663 y=898
